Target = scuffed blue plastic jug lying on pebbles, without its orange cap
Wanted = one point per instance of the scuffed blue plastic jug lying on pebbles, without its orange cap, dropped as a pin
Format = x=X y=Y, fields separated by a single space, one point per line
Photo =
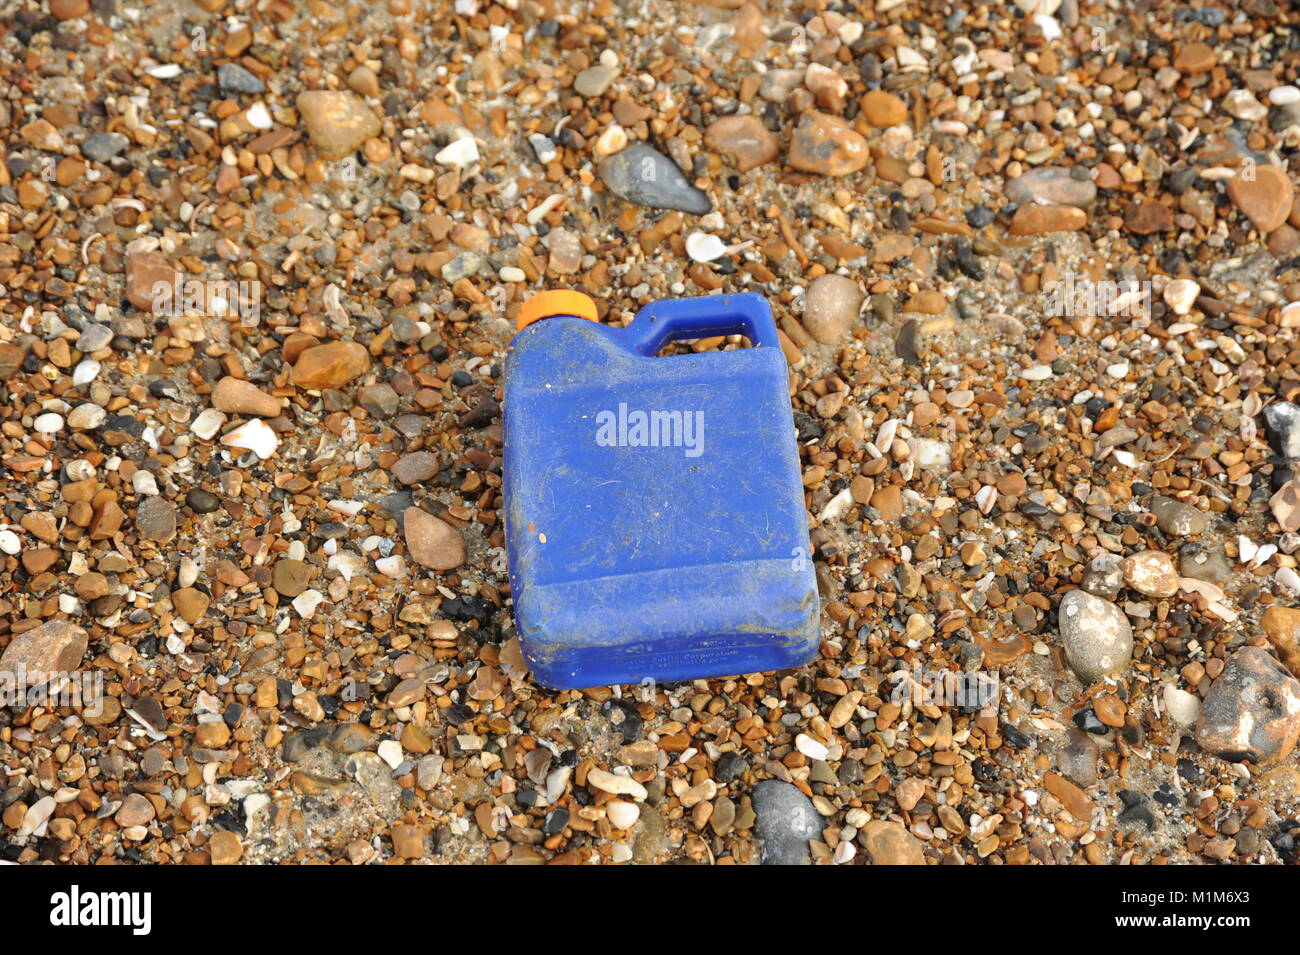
x=655 y=511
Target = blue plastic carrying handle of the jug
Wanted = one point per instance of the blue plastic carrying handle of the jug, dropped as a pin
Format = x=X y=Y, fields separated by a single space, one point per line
x=744 y=314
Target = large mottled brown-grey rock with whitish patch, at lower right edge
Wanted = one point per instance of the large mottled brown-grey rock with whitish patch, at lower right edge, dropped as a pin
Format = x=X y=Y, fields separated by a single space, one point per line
x=1253 y=711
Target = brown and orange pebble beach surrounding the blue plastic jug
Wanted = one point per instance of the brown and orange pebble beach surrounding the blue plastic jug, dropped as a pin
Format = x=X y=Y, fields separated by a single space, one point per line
x=1037 y=272
